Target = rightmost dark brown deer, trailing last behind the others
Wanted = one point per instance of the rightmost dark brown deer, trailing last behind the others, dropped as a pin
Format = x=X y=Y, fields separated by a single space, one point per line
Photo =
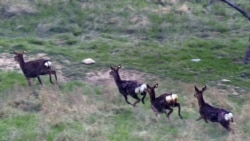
x=213 y=114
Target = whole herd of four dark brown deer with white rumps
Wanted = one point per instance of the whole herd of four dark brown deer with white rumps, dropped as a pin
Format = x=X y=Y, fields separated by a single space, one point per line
x=161 y=104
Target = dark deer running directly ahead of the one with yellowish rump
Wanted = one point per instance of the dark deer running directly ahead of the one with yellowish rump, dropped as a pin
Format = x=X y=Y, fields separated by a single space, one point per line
x=128 y=87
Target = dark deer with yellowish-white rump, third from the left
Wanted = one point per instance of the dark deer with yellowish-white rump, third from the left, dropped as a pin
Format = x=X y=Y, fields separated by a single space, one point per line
x=164 y=102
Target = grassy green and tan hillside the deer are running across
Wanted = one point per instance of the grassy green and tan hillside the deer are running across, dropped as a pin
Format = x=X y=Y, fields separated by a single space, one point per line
x=154 y=43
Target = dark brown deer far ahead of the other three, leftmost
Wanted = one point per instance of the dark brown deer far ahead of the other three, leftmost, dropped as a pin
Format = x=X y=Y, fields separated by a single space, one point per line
x=35 y=68
